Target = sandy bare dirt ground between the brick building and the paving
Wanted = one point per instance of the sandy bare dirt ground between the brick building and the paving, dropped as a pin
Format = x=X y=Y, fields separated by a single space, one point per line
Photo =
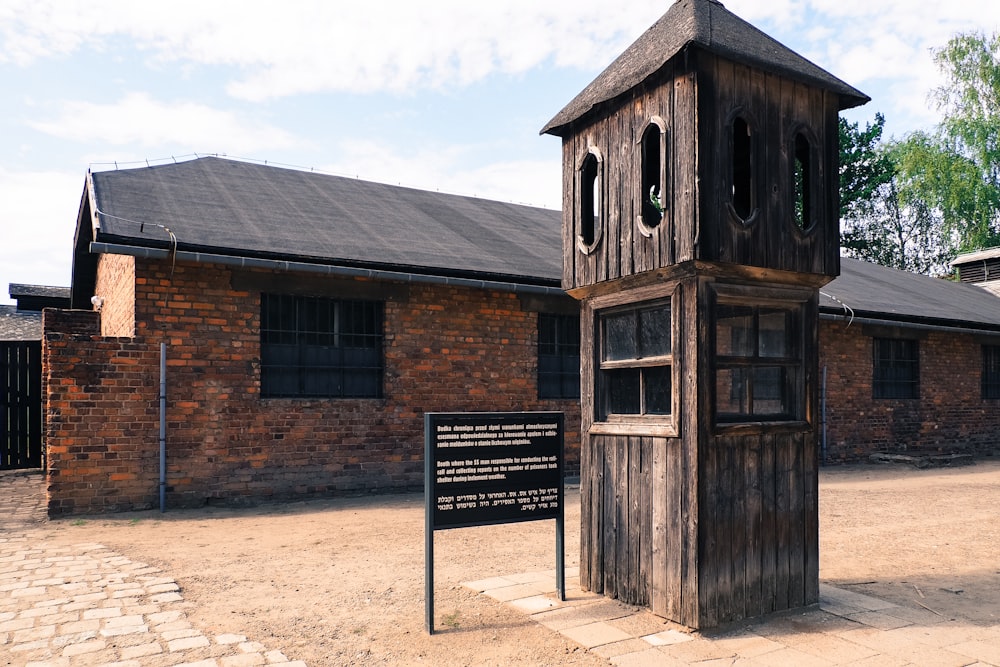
x=342 y=581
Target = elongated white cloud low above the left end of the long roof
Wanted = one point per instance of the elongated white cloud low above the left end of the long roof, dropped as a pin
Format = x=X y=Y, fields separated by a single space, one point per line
x=137 y=120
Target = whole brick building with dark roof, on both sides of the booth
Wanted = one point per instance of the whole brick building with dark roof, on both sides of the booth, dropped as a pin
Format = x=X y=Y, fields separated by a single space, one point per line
x=310 y=321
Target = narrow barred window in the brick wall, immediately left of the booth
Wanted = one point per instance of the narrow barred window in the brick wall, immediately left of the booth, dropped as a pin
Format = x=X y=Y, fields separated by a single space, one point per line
x=558 y=356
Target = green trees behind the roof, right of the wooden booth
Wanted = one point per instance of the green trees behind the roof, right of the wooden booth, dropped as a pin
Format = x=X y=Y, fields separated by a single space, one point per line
x=916 y=202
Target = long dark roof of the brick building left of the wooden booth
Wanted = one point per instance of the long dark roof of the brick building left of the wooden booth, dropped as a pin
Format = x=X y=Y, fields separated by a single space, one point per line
x=251 y=210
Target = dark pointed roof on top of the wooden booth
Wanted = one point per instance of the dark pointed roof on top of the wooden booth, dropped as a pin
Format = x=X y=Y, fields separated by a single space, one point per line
x=709 y=25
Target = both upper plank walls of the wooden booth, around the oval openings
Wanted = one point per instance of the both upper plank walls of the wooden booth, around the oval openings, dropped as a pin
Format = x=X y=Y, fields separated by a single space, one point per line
x=698 y=108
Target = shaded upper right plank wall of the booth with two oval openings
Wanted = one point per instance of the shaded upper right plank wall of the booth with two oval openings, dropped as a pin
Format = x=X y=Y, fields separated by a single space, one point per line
x=776 y=108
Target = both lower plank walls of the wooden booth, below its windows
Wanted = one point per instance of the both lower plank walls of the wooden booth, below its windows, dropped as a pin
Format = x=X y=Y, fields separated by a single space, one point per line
x=758 y=544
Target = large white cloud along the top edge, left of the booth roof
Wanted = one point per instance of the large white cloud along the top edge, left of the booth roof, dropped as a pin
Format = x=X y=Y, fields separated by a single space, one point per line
x=313 y=45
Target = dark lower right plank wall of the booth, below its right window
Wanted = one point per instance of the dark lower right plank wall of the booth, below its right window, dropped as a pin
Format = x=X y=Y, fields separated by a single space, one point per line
x=759 y=535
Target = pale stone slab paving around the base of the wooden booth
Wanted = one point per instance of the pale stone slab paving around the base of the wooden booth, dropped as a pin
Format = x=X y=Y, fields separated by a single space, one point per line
x=845 y=628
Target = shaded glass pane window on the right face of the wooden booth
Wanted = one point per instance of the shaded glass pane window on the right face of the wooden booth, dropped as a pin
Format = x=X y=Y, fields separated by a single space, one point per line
x=758 y=364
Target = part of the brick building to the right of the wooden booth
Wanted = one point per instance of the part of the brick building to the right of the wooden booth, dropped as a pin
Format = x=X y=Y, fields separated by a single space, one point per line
x=912 y=364
